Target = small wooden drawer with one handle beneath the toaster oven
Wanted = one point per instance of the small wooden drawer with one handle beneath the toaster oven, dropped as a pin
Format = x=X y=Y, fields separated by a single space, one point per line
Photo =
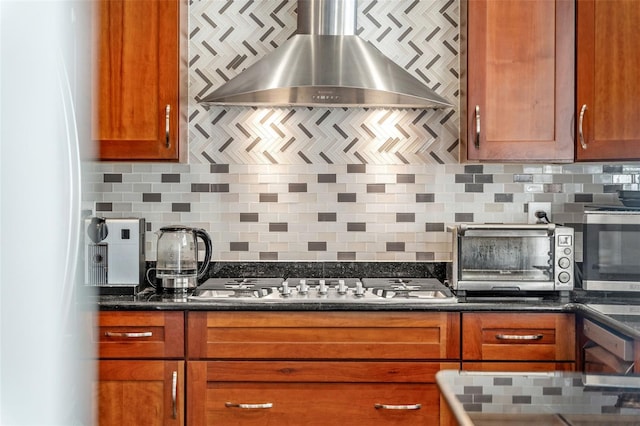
x=518 y=337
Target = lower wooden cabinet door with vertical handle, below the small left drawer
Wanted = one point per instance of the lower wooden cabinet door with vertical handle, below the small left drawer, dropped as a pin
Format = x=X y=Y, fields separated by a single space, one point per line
x=137 y=392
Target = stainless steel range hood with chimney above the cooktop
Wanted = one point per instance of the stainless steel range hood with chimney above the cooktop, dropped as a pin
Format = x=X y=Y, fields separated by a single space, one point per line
x=326 y=64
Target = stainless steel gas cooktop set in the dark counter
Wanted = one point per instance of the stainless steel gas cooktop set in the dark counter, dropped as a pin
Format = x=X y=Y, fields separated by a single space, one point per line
x=327 y=290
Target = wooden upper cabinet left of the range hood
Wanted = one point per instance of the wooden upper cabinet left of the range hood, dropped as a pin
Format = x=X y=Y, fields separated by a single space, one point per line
x=137 y=78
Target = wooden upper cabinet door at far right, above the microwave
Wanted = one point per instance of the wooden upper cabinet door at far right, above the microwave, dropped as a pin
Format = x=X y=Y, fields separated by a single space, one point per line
x=608 y=86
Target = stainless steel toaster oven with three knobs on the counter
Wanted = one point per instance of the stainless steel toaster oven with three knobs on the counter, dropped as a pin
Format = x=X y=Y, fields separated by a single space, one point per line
x=512 y=257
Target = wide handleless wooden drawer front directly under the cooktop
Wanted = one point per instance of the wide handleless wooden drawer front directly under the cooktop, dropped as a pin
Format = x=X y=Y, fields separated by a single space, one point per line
x=323 y=335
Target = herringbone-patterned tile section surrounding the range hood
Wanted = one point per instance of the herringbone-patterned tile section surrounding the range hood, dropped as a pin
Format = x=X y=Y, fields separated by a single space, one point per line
x=421 y=36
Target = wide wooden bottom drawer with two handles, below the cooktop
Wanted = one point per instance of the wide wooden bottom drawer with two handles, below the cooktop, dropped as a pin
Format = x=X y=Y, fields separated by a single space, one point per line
x=220 y=395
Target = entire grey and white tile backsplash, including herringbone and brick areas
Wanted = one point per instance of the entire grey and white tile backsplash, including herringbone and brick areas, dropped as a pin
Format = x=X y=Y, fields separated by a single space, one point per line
x=322 y=184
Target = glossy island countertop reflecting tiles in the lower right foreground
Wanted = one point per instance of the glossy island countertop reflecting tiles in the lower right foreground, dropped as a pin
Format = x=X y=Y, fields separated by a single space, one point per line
x=554 y=398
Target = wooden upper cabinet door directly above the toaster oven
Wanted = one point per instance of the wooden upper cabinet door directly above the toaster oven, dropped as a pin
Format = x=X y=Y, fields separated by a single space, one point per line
x=518 y=80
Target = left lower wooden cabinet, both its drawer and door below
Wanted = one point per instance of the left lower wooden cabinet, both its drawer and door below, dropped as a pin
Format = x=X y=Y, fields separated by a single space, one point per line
x=141 y=368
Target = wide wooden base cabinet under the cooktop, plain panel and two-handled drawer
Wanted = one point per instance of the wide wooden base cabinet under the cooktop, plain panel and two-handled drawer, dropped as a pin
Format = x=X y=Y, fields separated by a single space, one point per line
x=319 y=368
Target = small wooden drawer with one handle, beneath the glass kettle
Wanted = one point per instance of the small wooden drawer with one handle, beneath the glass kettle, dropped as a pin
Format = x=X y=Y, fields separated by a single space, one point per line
x=139 y=335
